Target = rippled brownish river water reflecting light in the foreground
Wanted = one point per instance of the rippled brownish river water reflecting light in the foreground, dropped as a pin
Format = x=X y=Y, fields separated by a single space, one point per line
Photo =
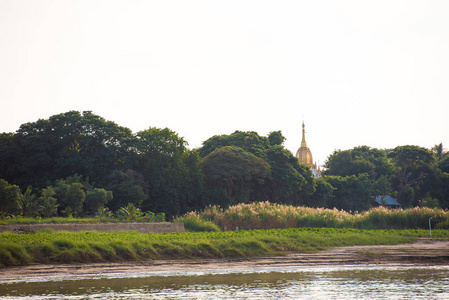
x=320 y=282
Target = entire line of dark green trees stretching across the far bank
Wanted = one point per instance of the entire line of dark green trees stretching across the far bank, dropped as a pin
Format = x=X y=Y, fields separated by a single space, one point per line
x=76 y=163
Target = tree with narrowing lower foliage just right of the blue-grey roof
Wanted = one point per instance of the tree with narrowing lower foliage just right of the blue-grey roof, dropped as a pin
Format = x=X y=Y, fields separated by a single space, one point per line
x=412 y=164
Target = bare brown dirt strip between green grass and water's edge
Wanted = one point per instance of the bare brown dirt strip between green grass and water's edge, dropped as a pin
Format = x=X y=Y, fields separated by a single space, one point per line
x=423 y=252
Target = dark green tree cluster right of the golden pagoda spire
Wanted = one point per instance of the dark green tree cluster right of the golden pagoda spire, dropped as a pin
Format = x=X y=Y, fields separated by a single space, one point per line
x=414 y=175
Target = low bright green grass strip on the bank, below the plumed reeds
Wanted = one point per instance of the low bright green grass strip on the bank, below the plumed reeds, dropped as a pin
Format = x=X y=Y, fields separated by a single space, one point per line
x=90 y=246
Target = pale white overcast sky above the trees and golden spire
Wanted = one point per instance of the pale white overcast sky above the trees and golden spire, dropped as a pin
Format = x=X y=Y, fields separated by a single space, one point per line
x=372 y=73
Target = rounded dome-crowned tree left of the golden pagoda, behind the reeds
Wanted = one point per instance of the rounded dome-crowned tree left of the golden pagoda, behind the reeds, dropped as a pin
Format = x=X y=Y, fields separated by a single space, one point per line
x=239 y=172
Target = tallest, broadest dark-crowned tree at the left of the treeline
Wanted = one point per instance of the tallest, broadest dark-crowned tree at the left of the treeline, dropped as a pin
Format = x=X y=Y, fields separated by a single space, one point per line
x=67 y=144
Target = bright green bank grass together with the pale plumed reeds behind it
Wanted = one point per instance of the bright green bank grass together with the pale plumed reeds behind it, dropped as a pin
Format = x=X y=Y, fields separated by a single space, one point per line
x=373 y=227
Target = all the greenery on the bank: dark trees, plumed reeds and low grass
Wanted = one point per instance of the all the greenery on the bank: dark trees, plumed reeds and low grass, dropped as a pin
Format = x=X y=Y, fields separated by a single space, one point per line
x=80 y=165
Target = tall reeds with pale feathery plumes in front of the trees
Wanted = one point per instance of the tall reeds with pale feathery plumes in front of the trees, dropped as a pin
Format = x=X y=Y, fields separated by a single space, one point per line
x=266 y=215
